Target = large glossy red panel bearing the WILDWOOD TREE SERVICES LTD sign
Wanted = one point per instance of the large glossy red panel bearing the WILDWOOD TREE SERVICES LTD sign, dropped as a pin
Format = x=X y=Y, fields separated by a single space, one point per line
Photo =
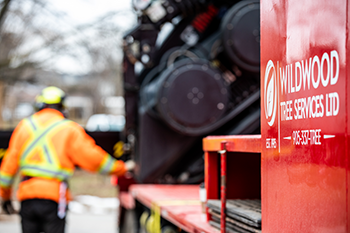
x=305 y=115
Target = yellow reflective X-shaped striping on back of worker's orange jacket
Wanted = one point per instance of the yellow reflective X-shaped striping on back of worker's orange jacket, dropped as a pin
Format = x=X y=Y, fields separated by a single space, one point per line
x=39 y=158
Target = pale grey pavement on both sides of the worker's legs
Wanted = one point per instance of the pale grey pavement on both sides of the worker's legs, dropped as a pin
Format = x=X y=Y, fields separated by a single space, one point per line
x=87 y=221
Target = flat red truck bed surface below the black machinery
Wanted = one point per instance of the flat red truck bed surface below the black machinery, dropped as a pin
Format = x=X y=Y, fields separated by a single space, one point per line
x=179 y=204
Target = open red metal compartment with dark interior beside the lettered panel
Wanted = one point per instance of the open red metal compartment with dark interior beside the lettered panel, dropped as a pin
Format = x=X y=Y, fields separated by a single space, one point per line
x=243 y=173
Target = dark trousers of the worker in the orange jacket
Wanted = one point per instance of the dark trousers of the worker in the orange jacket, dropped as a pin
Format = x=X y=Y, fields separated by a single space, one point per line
x=41 y=216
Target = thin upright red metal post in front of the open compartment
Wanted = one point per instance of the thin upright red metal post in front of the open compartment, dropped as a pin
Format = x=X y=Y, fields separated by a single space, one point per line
x=223 y=187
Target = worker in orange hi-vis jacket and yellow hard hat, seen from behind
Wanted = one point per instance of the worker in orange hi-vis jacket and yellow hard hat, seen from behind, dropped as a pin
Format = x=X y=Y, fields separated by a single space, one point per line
x=45 y=148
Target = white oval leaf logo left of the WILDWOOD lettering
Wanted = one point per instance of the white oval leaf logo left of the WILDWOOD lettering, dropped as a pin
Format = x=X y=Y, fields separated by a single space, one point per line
x=270 y=93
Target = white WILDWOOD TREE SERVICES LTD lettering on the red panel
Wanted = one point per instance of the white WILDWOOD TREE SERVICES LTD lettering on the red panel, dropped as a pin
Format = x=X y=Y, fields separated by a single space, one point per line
x=325 y=71
